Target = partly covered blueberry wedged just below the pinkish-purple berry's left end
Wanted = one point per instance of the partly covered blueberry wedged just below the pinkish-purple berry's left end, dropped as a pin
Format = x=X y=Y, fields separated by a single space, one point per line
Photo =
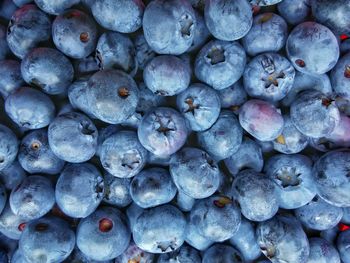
x=248 y=156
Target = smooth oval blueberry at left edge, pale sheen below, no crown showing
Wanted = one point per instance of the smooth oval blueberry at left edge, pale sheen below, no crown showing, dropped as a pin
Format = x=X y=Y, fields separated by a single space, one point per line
x=30 y=108
